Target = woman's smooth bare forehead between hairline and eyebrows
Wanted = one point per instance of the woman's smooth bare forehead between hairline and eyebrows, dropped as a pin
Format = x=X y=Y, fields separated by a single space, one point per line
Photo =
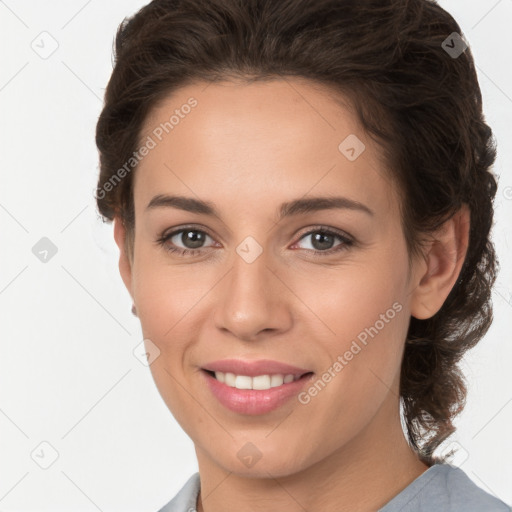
x=280 y=137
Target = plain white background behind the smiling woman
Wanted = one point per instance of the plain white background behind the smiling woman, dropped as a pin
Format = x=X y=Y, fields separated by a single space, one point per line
x=68 y=374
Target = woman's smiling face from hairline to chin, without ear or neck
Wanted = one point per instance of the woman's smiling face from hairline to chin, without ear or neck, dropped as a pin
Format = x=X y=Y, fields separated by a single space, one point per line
x=324 y=290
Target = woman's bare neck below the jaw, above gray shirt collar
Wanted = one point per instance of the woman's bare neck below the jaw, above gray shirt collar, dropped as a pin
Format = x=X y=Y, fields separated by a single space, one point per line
x=363 y=475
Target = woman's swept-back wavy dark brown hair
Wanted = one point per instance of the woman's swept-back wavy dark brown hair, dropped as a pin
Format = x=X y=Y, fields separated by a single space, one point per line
x=422 y=104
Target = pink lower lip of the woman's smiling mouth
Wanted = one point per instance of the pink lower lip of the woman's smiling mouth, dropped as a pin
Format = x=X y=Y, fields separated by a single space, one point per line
x=254 y=401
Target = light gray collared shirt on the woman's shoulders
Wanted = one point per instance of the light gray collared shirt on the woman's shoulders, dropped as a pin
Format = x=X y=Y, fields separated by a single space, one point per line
x=441 y=488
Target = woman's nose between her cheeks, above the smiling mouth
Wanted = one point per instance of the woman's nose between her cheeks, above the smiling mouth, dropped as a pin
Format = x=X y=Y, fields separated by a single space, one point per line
x=253 y=300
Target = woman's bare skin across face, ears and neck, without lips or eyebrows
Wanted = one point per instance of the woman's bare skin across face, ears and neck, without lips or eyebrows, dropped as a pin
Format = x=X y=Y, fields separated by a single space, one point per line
x=247 y=149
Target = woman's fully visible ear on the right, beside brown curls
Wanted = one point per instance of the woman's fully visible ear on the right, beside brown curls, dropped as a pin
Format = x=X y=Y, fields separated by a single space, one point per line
x=441 y=266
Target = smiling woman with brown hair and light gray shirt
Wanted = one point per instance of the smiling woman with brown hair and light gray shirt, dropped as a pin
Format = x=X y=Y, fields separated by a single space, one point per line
x=302 y=197
